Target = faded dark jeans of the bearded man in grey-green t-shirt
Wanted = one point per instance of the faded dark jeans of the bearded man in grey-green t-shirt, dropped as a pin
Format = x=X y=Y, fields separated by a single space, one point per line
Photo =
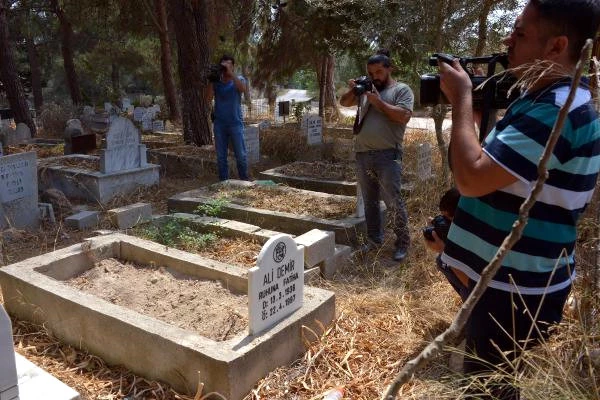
x=378 y=173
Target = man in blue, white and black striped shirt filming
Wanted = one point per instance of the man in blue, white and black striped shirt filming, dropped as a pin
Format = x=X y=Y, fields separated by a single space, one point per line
x=494 y=179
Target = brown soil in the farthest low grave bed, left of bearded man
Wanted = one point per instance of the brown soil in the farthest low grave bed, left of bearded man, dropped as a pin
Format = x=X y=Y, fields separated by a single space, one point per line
x=341 y=171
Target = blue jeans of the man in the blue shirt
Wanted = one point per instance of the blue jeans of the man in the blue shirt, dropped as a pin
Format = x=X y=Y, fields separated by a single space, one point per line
x=234 y=134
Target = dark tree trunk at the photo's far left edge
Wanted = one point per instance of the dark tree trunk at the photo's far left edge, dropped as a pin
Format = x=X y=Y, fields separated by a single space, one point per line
x=9 y=76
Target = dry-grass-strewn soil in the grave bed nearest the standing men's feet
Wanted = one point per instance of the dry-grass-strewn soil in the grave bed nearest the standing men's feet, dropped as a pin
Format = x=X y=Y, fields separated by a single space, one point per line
x=288 y=200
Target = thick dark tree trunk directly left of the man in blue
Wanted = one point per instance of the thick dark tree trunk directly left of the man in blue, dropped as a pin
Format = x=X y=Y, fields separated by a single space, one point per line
x=190 y=21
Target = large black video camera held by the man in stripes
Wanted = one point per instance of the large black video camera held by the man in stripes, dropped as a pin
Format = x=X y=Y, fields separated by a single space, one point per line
x=494 y=94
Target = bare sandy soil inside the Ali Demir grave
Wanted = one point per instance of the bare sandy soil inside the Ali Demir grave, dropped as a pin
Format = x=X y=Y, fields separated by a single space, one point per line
x=203 y=306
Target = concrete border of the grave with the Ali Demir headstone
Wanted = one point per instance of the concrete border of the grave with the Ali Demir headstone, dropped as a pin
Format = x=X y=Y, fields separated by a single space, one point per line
x=151 y=348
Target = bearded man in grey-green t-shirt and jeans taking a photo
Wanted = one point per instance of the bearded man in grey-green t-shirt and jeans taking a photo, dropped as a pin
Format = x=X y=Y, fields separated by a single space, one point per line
x=382 y=118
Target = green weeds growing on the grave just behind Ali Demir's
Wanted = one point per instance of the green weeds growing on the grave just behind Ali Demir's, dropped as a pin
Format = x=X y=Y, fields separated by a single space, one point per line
x=175 y=233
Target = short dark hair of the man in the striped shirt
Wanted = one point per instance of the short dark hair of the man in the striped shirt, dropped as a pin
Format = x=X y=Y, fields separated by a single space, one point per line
x=578 y=20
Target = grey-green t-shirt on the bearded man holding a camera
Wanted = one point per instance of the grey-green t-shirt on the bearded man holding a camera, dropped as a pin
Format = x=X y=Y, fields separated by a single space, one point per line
x=377 y=131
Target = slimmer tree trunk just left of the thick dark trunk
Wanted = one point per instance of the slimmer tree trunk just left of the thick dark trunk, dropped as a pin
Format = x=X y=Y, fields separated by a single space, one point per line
x=166 y=61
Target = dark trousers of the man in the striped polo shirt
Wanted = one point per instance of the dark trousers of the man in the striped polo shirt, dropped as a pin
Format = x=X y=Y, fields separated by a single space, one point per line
x=484 y=336
